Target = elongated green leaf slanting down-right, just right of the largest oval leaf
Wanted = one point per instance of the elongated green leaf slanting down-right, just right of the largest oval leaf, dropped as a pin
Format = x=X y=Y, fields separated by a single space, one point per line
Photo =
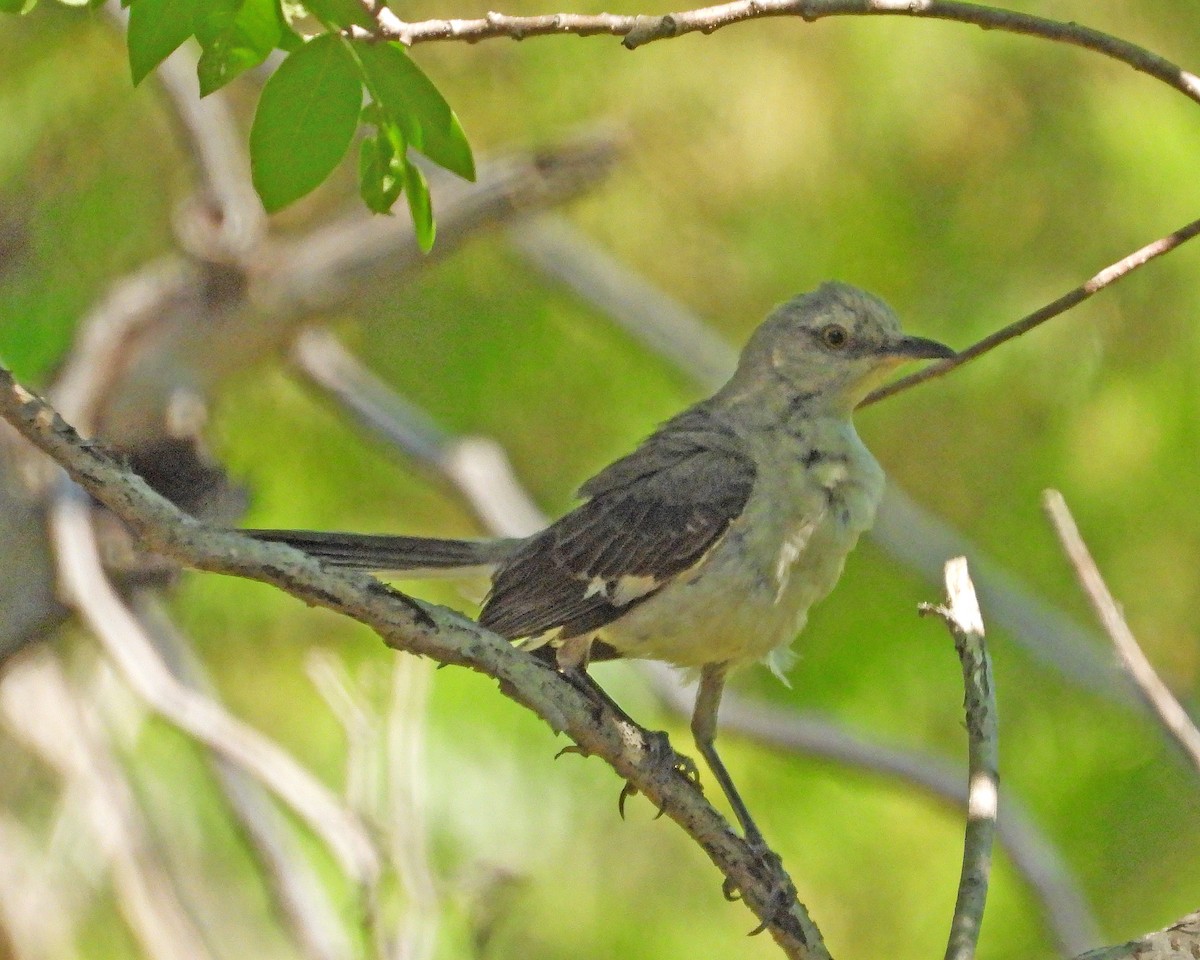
x=411 y=99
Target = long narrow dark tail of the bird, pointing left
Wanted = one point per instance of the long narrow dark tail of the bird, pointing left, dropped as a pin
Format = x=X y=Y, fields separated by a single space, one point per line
x=412 y=556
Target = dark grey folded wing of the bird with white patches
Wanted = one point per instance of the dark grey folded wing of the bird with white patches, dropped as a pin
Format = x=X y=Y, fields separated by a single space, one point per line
x=649 y=518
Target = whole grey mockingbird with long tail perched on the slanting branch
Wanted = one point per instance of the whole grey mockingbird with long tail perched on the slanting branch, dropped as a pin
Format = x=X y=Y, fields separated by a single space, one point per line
x=707 y=545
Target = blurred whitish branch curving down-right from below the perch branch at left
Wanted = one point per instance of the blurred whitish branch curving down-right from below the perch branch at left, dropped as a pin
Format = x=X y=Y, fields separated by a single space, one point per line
x=122 y=635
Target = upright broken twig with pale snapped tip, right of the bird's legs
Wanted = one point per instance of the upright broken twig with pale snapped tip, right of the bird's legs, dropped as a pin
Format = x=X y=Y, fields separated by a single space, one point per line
x=962 y=616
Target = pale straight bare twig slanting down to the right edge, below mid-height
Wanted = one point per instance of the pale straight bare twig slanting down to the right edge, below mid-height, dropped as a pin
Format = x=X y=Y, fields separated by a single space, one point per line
x=1159 y=698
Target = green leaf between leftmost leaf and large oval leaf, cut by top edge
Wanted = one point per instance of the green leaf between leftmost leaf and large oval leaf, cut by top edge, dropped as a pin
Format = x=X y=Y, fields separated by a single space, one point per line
x=236 y=37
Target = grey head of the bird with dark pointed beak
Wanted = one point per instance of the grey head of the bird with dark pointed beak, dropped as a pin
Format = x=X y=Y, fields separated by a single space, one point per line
x=829 y=349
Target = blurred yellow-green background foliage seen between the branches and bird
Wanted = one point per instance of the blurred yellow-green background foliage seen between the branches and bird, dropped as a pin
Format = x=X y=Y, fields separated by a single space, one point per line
x=967 y=177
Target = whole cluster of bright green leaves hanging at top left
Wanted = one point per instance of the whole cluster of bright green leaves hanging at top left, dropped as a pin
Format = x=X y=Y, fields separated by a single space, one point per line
x=305 y=121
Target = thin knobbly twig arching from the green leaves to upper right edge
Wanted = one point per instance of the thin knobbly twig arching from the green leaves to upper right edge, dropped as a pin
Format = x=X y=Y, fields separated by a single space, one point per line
x=640 y=29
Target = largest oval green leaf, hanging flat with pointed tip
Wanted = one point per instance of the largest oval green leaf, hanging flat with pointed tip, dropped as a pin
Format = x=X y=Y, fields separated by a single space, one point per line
x=307 y=117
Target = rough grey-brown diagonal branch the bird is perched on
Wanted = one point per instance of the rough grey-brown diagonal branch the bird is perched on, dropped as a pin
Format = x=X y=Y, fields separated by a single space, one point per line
x=424 y=631
